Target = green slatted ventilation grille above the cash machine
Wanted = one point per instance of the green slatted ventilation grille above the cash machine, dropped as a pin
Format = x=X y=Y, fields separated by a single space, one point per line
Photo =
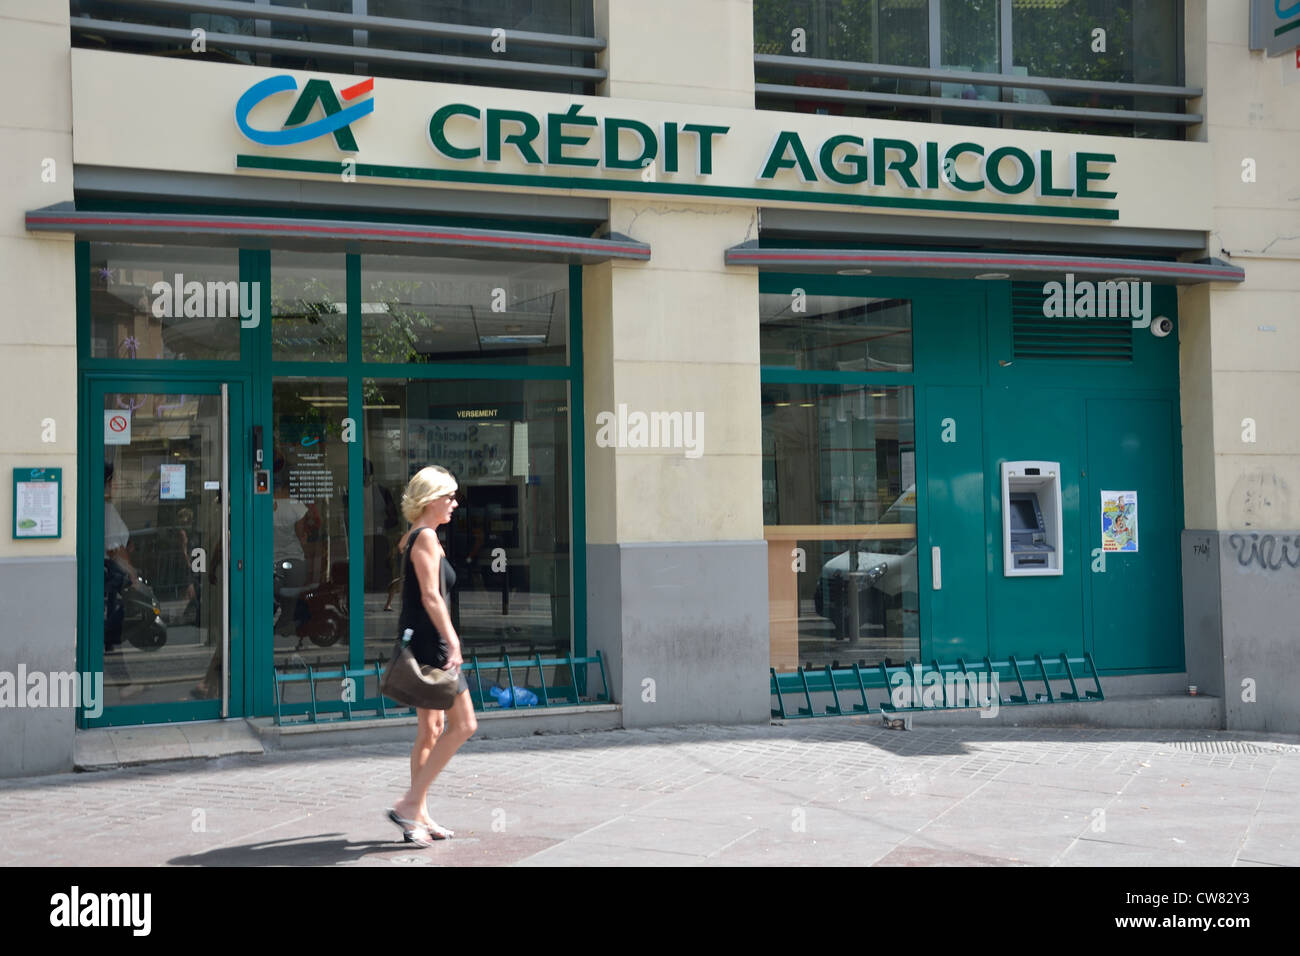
x=1034 y=336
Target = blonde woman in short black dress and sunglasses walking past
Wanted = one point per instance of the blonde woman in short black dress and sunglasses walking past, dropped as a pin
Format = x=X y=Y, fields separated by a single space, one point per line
x=428 y=504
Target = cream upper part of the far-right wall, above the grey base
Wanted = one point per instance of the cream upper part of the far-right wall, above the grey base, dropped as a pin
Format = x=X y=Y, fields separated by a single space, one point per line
x=1255 y=328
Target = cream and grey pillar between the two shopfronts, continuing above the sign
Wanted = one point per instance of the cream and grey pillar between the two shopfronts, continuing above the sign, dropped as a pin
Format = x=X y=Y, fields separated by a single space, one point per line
x=677 y=560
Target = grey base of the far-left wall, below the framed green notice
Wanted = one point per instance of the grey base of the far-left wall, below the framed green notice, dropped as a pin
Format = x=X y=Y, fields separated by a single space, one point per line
x=38 y=633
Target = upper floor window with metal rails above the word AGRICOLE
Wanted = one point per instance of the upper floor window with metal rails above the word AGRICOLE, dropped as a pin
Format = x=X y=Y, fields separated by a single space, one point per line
x=1100 y=67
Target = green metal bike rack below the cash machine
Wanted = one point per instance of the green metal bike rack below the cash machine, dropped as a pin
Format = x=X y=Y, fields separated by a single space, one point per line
x=947 y=678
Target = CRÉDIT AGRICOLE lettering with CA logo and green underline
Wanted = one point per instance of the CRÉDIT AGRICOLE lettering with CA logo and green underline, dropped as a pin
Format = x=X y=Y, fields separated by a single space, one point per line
x=579 y=150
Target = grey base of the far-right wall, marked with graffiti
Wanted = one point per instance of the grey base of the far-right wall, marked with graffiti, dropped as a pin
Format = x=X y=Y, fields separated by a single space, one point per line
x=1242 y=620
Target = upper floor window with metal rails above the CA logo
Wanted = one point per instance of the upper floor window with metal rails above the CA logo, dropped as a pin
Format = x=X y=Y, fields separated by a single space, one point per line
x=530 y=45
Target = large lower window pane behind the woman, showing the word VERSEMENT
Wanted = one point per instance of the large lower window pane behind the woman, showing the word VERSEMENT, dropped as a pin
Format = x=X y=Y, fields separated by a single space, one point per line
x=506 y=443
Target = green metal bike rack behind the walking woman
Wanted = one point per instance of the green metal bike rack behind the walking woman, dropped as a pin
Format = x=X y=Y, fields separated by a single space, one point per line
x=382 y=707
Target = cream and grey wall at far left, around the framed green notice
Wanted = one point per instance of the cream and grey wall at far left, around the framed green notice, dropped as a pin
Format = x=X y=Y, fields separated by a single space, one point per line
x=38 y=373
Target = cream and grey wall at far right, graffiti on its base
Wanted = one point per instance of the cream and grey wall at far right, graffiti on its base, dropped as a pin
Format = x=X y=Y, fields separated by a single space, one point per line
x=1241 y=380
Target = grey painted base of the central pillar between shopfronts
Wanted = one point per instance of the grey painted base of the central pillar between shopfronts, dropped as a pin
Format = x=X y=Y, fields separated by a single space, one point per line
x=683 y=629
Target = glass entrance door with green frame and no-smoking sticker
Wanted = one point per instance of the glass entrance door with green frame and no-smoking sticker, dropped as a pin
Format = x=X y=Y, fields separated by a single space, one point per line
x=163 y=509
